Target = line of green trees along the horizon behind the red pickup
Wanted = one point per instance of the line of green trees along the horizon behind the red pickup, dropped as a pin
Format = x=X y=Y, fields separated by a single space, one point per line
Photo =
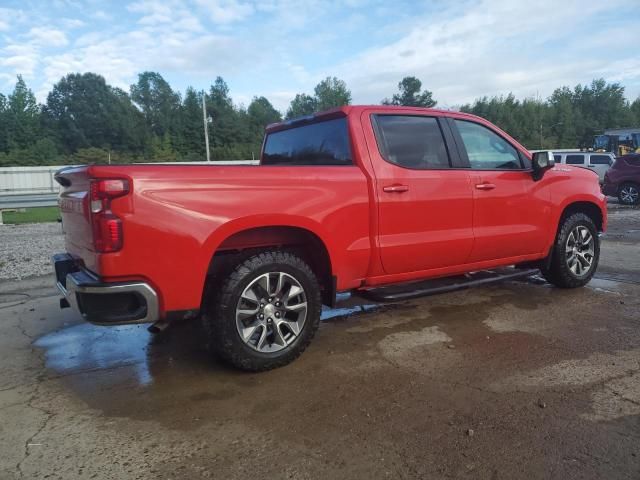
x=86 y=120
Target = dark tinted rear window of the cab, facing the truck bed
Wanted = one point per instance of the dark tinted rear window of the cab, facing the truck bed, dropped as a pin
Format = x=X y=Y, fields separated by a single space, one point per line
x=322 y=143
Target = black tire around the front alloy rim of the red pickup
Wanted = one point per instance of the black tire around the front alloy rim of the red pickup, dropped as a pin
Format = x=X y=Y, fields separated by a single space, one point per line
x=558 y=271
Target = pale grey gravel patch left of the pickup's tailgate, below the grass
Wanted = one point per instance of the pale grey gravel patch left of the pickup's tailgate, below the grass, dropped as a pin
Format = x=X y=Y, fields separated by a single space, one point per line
x=25 y=250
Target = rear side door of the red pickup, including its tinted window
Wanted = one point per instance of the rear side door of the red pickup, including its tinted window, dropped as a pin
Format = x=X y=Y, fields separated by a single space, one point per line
x=425 y=206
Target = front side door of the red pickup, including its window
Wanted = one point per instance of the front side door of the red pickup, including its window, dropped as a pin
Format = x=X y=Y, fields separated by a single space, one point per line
x=511 y=211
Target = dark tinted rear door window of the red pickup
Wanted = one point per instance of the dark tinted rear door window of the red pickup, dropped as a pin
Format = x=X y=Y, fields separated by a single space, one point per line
x=411 y=141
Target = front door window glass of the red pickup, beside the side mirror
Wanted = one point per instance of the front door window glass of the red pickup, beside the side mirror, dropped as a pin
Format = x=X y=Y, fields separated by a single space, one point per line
x=487 y=150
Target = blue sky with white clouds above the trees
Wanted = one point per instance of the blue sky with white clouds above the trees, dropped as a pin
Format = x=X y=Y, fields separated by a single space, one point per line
x=460 y=50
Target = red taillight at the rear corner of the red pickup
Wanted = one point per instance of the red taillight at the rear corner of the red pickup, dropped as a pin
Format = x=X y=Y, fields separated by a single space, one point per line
x=107 y=227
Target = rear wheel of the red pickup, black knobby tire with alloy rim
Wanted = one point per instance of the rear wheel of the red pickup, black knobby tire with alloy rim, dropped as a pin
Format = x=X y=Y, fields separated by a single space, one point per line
x=265 y=313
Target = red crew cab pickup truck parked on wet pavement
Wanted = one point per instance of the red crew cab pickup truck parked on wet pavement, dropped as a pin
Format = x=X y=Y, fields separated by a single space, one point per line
x=353 y=199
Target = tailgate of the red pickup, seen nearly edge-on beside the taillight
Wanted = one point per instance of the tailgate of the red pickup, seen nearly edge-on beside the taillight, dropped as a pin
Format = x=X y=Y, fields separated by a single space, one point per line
x=74 y=209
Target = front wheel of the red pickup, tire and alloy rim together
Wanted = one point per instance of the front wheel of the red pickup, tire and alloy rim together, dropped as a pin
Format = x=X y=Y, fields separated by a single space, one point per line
x=575 y=254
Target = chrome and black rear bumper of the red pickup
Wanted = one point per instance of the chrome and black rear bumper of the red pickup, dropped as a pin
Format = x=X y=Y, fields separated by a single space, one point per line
x=111 y=303
